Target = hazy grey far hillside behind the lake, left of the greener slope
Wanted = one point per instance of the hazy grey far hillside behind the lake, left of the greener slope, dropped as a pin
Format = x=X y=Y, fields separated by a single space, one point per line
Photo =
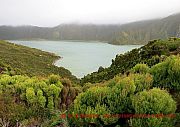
x=61 y=32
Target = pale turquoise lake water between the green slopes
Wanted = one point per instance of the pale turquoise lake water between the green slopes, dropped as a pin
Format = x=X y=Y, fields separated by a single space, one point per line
x=80 y=58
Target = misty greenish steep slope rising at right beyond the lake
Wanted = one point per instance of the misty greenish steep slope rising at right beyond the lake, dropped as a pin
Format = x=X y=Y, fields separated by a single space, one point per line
x=141 y=32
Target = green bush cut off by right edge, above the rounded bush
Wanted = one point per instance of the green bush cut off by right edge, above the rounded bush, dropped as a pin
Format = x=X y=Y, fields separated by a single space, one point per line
x=167 y=73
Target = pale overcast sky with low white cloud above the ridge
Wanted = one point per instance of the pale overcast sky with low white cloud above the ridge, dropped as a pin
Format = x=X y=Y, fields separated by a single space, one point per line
x=55 y=12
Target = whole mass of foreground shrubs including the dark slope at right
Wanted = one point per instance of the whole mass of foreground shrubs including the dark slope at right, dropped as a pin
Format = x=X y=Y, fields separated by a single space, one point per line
x=144 y=82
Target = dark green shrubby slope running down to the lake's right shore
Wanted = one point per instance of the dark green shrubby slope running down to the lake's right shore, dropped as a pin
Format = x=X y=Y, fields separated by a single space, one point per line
x=152 y=53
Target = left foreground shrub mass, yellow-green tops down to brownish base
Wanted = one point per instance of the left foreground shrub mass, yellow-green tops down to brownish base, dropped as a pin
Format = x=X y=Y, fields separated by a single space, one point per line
x=38 y=98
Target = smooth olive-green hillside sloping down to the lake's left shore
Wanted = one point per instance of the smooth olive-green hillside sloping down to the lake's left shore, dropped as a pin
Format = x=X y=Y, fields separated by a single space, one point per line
x=16 y=59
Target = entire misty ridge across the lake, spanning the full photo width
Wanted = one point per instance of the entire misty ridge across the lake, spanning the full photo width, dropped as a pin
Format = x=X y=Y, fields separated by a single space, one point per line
x=132 y=33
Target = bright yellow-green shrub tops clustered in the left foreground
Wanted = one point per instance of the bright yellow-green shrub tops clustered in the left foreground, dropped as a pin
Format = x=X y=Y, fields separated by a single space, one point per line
x=32 y=90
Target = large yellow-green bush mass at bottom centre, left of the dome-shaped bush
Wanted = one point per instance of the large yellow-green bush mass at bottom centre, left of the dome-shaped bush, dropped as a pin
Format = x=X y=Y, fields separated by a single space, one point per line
x=109 y=98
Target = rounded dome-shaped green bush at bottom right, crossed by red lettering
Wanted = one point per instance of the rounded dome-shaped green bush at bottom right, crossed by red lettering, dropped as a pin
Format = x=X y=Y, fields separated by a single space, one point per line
x=153 y=102
